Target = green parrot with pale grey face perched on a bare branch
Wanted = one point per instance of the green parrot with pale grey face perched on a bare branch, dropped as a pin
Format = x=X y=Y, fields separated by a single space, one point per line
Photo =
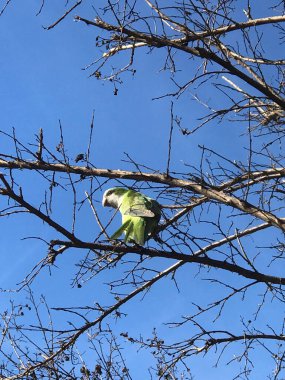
x=140 y=214
